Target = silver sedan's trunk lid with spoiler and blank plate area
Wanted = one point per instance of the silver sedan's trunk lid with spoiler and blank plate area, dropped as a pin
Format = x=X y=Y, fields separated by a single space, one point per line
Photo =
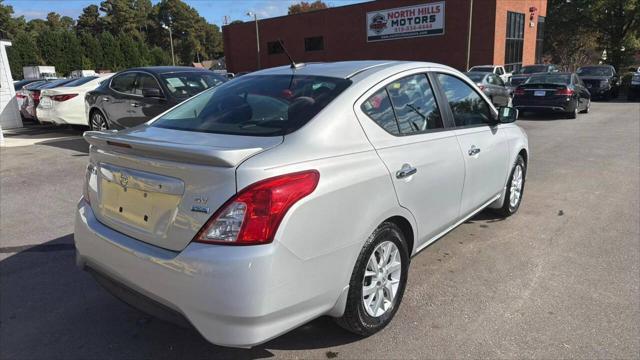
x=159 y=185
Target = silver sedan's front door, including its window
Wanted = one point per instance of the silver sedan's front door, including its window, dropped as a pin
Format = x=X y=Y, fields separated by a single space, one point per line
x=483 y=144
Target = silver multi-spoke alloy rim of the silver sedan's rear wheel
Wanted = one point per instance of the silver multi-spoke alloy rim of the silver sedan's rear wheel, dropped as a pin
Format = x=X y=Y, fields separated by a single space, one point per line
x=381 y=279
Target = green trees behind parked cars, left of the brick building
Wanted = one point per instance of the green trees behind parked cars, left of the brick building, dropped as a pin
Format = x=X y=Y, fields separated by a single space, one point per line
x=112 y=35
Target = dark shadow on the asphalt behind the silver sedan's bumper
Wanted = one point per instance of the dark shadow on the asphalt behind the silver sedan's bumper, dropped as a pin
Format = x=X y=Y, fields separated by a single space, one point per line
x=51 y=309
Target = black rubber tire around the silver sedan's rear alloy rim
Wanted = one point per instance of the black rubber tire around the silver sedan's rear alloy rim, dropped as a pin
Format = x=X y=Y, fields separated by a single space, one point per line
x=355 y=318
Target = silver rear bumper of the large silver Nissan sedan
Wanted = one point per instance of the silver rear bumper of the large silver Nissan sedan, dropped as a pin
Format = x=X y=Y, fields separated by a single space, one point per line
x=233 y=295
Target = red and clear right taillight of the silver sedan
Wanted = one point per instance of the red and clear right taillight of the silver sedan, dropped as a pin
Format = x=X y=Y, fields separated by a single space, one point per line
x=252 y=216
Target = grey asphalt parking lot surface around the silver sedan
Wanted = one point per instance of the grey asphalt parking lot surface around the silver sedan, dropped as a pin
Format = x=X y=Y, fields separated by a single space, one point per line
x=561 y=279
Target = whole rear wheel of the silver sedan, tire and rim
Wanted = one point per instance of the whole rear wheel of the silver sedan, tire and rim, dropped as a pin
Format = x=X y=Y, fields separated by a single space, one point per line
x=377 y=282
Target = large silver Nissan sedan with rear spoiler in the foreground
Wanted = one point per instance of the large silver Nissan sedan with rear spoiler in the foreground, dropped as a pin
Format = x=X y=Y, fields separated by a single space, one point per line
x=292 y=193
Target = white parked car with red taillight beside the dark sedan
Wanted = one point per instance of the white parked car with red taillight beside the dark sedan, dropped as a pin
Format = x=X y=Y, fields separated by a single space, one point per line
x=65 y=104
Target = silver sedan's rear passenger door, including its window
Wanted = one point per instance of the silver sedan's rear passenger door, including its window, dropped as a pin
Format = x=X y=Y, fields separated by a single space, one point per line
x=402 y=120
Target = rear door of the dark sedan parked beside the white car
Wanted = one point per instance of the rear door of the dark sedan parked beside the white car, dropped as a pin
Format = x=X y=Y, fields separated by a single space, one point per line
x=117 y=103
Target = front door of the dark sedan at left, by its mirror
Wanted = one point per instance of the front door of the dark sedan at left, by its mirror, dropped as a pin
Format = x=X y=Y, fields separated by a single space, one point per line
x=144 y=108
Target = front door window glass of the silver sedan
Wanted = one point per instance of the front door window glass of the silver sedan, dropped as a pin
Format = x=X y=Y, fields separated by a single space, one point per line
x=467 y=106
